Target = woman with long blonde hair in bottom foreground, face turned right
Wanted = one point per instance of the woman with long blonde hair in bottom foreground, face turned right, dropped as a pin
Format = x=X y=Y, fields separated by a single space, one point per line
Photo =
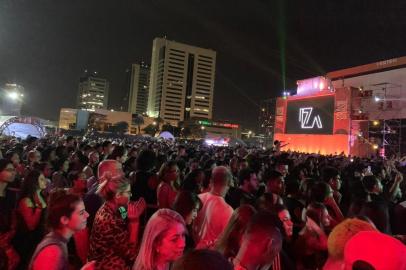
x=163 y=241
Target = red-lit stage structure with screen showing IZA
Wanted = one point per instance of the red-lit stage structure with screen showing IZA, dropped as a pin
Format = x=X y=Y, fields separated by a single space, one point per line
x=320 y=119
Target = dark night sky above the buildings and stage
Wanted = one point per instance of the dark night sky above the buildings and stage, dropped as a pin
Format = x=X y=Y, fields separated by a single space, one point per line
x=45 y=45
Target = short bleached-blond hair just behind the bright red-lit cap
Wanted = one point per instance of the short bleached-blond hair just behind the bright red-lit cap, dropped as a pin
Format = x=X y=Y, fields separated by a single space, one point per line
x=343 y=232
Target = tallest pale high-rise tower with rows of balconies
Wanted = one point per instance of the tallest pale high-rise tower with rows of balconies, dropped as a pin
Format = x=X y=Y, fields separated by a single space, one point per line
x=181 y=82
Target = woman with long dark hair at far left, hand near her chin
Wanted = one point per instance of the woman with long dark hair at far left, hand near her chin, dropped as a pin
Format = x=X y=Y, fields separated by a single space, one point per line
x=31 y=215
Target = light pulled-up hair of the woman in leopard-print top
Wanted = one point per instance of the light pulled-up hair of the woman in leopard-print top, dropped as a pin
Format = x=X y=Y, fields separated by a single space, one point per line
x=110 y=185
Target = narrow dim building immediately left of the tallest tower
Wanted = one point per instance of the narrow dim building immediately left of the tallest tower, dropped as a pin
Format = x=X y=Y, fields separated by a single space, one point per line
x=138 y=94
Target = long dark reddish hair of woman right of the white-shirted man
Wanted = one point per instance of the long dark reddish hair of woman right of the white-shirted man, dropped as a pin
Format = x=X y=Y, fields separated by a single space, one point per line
x=229 y=242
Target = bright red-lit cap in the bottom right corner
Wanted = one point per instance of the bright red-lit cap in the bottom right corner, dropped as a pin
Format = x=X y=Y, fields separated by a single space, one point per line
x=381 y=251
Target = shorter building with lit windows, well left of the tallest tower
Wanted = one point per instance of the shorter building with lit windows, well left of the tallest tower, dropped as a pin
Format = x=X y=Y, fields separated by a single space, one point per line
x=93 y=93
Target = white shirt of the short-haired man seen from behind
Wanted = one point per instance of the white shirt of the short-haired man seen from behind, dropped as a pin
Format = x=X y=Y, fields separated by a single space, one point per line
x=211 y=219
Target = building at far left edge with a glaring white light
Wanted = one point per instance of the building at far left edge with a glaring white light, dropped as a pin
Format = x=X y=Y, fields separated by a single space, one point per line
x=11 y=99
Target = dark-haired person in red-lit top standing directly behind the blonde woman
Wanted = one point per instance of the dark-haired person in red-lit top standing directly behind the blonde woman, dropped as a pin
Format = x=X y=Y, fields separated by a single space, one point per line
x=168 y=188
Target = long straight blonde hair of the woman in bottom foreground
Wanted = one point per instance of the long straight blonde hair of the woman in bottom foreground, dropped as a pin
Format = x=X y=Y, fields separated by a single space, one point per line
x=158 y=224
